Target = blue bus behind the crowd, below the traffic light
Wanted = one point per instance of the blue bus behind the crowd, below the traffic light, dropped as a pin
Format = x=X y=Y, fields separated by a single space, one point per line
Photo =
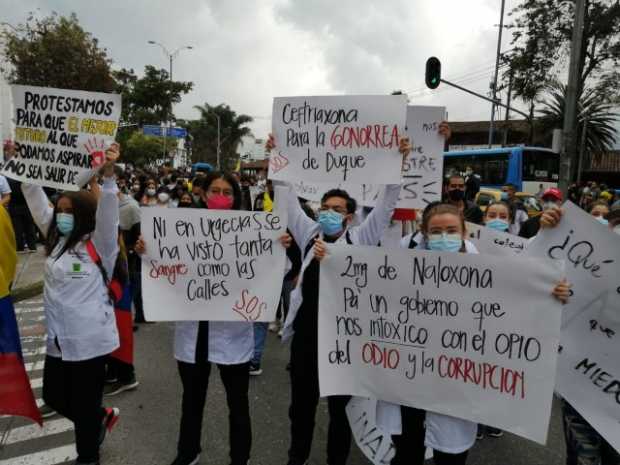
x=525 y=167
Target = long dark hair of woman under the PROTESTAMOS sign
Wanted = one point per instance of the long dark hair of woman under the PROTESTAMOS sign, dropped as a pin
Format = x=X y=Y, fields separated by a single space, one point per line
x=84 y=206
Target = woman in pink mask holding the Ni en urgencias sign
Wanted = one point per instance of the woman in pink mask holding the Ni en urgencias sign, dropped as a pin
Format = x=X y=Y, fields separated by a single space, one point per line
x=228 y=344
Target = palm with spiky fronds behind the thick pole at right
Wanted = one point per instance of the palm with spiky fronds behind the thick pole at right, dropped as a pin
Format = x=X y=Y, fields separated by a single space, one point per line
x=591 y=107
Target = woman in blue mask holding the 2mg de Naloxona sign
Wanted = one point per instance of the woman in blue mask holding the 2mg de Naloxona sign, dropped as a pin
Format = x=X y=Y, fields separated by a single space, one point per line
x=443 y=230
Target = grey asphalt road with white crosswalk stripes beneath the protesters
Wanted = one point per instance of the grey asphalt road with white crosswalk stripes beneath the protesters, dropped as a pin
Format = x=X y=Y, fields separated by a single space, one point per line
x=147 y=432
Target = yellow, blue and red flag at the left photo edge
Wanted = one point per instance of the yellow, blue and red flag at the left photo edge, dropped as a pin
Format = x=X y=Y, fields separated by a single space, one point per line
x=16 y=397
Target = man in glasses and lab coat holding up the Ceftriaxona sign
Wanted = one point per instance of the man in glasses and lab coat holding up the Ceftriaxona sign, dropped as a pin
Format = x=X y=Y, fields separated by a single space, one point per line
x=333 y=226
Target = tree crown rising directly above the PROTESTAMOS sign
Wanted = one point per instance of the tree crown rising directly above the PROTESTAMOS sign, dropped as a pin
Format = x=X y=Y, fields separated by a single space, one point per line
x=56 y=52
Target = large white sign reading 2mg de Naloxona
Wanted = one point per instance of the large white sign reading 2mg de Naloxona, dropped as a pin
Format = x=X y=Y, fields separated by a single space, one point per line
x=458 y=334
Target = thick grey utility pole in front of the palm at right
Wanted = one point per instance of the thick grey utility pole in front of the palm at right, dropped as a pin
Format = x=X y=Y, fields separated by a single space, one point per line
x=569 y=149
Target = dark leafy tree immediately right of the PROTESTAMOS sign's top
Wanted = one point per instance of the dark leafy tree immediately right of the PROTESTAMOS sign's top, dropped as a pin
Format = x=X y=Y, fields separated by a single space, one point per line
x=149 y=99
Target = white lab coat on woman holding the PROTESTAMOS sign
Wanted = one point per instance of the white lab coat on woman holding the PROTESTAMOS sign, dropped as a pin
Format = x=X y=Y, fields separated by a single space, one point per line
x=78 y=311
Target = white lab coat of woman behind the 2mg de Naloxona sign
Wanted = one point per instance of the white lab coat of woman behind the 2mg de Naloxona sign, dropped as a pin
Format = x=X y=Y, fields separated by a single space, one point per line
x=443 y=433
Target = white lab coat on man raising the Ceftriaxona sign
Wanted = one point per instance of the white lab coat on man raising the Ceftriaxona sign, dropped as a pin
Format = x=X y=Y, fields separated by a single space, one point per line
x=304 y=229
